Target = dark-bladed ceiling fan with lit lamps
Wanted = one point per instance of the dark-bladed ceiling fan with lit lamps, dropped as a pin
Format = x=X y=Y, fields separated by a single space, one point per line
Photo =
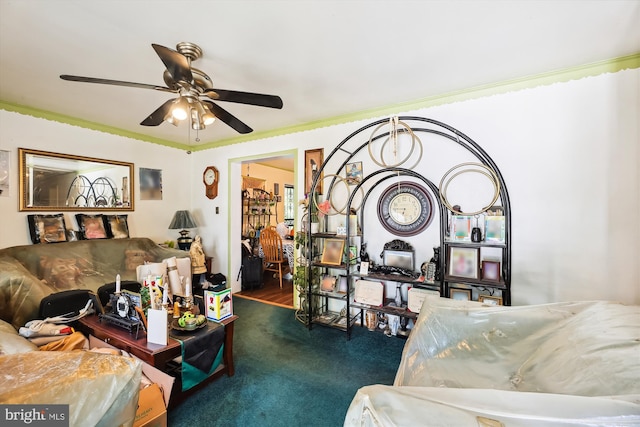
x=194 y=89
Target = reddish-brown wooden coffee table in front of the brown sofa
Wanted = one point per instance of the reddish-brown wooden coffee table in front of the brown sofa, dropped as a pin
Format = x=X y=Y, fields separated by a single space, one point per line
x=157 y=355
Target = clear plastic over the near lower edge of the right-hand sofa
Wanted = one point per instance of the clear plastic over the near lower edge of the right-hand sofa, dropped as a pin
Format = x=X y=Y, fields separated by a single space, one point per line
x=388 y=406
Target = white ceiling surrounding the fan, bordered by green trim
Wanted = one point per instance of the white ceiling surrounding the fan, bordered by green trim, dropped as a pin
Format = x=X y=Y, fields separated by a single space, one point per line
x=324 y=58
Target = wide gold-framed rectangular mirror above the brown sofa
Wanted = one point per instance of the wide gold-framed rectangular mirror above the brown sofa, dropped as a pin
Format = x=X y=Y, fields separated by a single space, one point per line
x=65 y=182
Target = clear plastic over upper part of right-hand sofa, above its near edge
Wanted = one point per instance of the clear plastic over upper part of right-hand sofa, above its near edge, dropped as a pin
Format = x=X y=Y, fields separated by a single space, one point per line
x=579 y=348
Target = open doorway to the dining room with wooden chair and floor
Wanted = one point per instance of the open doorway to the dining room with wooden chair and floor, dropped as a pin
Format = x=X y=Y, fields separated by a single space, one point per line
x=271 y=173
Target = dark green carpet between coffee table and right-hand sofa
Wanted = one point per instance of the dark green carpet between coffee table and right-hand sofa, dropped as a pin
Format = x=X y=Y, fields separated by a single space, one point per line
x=286 y=375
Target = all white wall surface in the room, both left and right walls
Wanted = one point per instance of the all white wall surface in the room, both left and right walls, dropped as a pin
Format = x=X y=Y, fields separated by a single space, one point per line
x=569 y=154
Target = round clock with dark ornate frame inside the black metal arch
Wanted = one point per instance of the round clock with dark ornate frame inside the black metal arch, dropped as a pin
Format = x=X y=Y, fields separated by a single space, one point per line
x=405 y=209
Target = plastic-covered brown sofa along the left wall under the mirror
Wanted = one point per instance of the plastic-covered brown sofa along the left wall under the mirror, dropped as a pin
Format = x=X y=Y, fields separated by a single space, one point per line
x=29 y=273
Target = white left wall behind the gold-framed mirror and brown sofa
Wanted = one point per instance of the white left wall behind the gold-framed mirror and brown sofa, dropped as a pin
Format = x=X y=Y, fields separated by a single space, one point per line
x=151 y=218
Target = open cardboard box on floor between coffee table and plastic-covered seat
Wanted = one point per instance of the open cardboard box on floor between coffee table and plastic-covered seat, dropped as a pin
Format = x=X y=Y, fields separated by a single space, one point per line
x=153 y=400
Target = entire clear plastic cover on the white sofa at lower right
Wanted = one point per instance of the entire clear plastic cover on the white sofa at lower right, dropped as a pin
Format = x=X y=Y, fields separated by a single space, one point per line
x=573 y=363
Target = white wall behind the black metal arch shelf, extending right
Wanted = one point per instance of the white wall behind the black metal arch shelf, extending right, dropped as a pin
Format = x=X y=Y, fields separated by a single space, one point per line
x=570 y=158
